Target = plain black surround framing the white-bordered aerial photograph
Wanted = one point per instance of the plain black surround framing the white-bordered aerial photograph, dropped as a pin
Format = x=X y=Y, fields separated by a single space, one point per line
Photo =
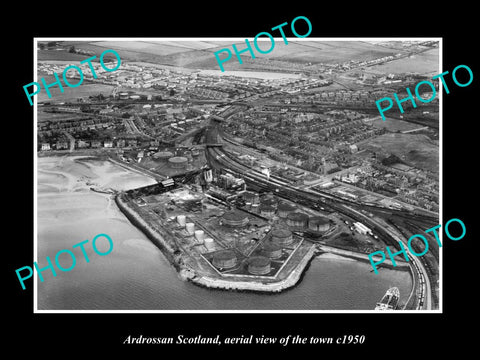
x=90 y=334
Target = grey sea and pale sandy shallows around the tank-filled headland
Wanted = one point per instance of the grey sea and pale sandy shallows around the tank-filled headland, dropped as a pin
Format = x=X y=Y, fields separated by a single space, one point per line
x=137 y=276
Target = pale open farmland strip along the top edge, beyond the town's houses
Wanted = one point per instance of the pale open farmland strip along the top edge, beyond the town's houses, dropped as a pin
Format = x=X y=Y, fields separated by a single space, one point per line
x=200 y=54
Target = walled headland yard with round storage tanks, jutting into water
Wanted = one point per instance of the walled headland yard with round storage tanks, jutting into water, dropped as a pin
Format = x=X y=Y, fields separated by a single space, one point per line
x=214 y=228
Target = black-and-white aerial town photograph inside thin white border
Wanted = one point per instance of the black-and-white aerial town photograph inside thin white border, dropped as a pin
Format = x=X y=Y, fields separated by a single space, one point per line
x=211 y=177
